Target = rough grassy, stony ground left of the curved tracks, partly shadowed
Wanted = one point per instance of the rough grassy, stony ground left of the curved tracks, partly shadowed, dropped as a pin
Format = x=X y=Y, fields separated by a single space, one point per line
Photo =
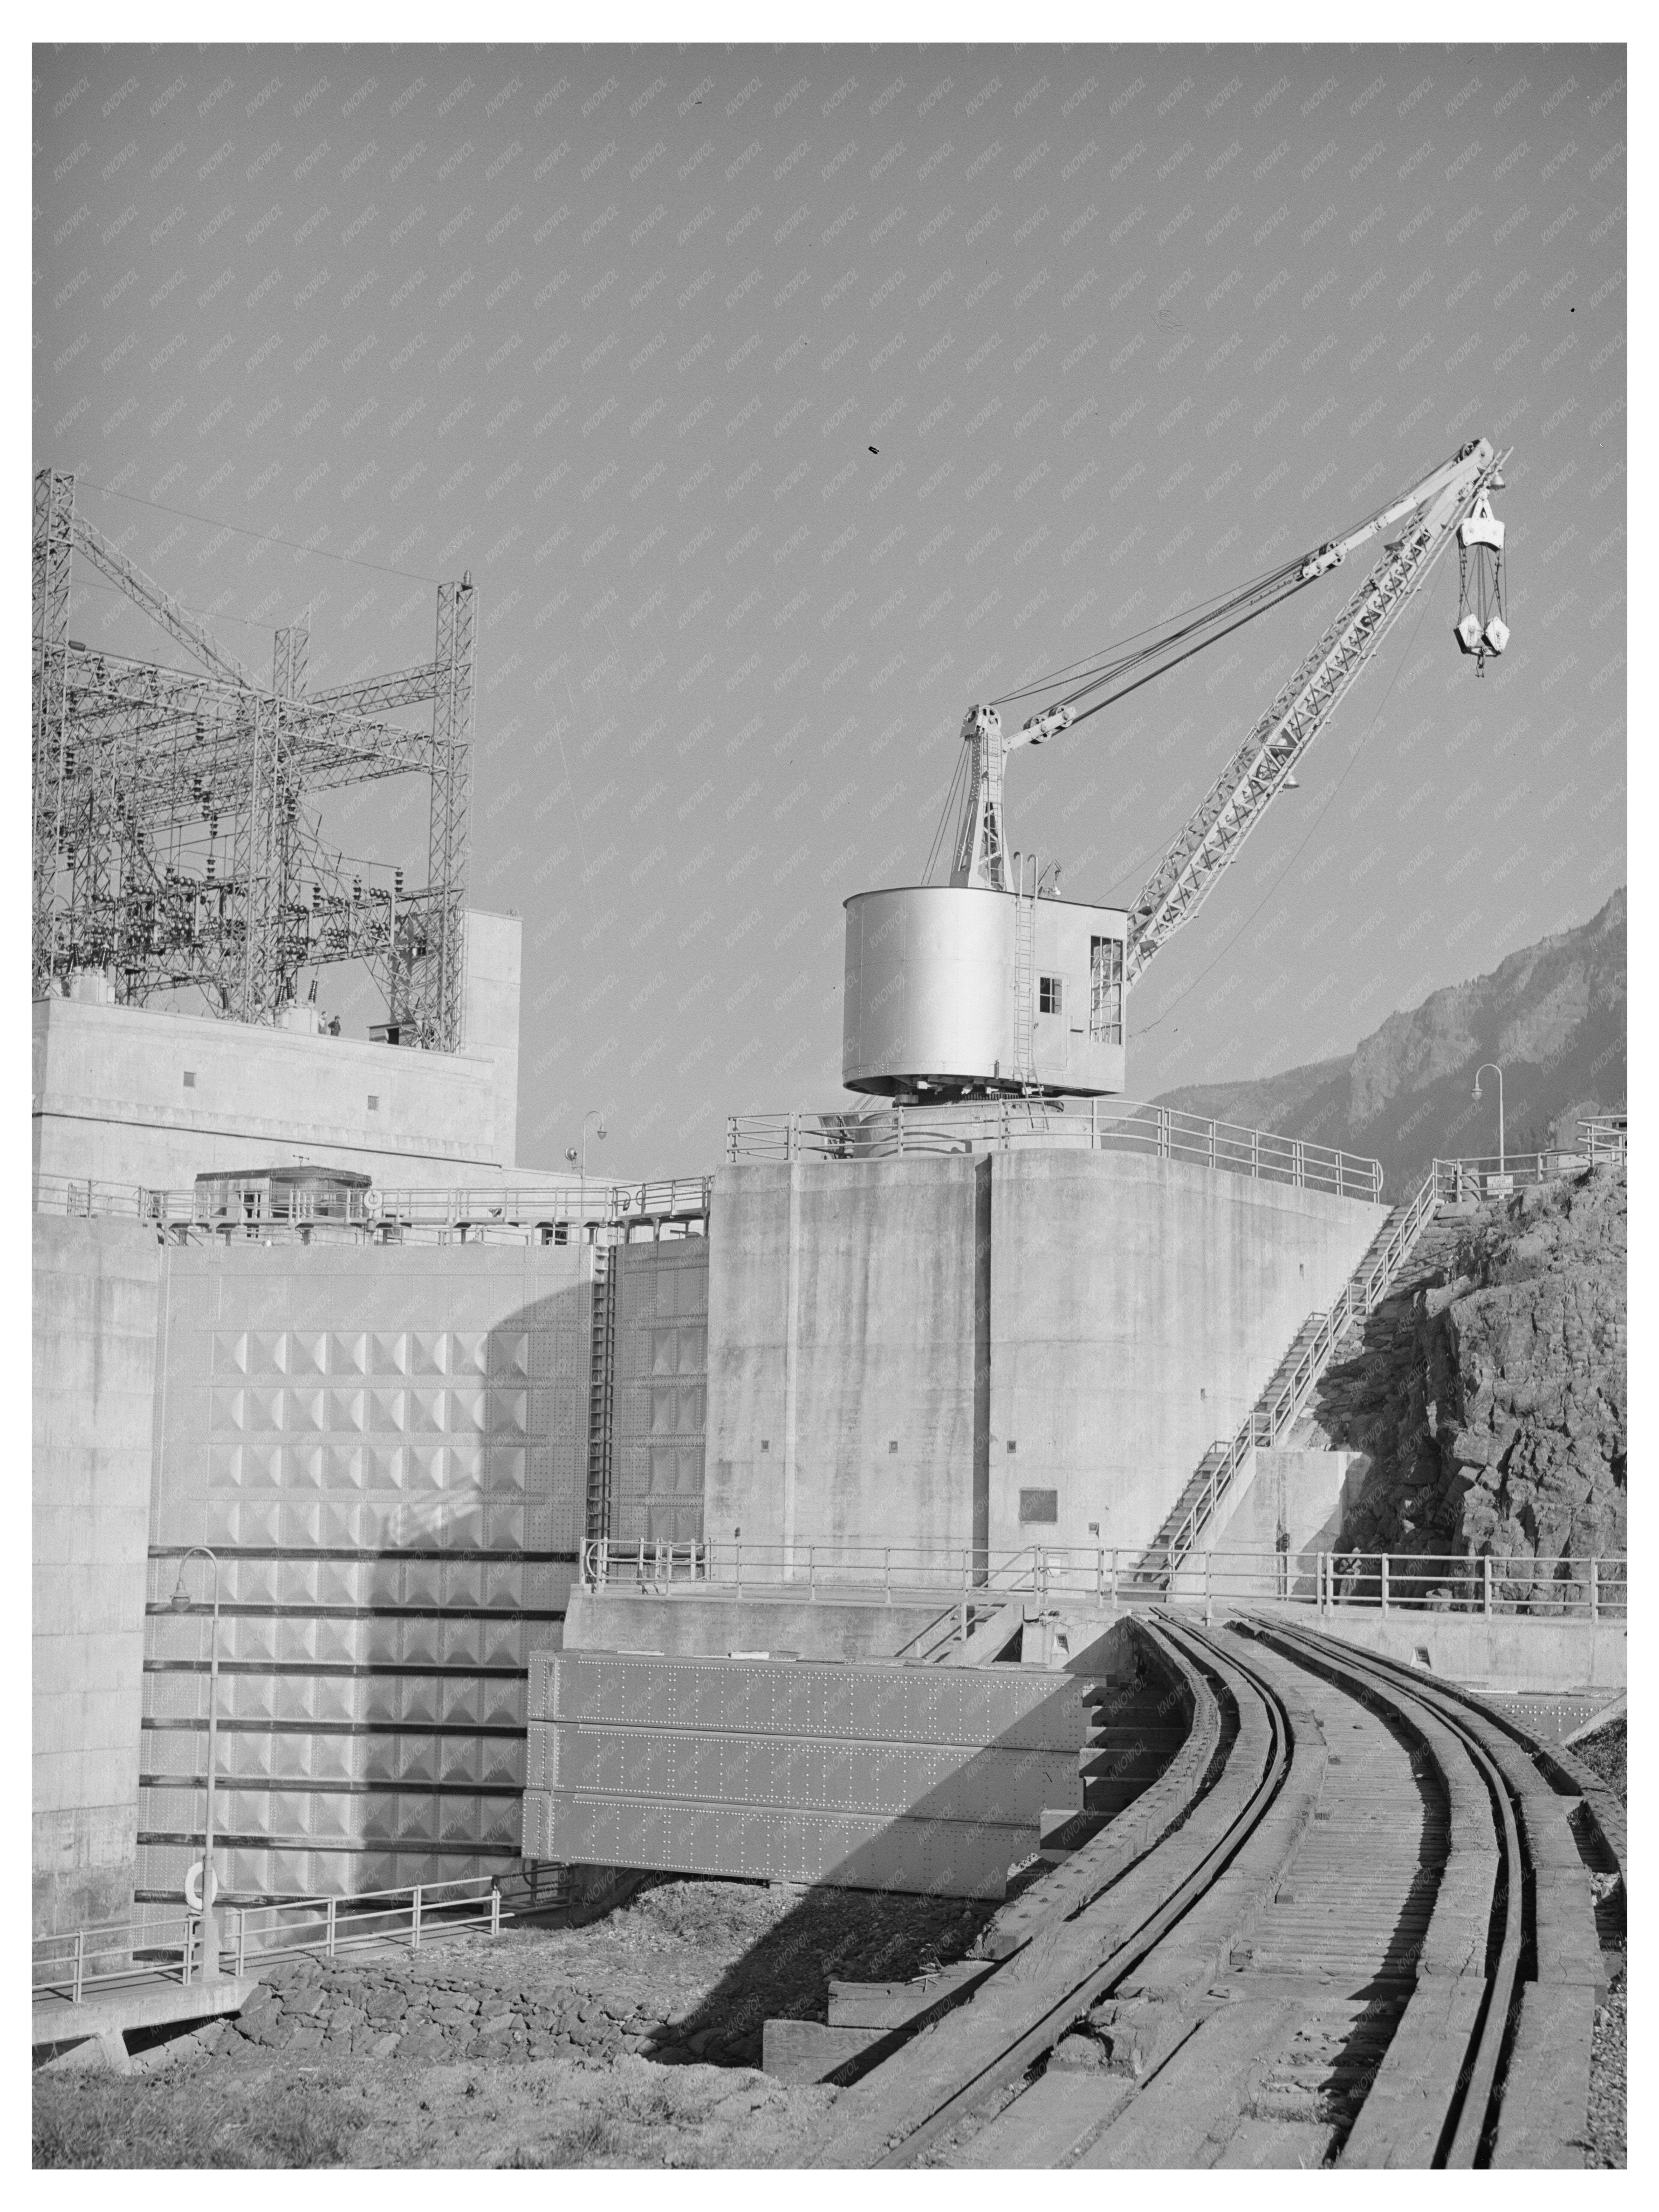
x=629 y=2043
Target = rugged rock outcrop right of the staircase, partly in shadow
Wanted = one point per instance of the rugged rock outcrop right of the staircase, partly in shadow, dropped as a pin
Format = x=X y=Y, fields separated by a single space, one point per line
x=1492 y=1390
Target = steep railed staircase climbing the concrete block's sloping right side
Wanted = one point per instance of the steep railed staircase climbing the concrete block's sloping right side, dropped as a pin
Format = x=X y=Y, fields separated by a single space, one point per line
x=1282 y=1404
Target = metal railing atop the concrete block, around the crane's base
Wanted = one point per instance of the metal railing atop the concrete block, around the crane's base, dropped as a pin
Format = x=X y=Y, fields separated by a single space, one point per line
x=1092 y=1127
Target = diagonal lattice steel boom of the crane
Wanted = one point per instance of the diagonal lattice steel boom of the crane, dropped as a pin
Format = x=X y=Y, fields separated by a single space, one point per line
x=1238 y=800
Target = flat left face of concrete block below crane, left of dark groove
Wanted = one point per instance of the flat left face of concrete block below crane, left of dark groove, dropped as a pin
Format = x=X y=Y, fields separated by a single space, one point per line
x=842 y=1350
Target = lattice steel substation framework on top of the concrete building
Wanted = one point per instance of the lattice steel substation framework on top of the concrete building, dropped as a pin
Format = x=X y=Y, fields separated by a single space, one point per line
x=134 y=760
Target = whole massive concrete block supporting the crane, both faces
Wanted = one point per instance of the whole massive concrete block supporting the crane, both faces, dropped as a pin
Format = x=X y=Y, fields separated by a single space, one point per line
x=901 y=1348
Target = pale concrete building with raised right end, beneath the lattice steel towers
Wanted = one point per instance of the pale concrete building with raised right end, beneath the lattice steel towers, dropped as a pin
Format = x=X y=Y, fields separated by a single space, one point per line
x=112 y=1098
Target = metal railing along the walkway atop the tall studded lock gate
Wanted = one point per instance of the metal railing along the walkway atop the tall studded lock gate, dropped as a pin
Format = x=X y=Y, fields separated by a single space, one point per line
x=393 y=1215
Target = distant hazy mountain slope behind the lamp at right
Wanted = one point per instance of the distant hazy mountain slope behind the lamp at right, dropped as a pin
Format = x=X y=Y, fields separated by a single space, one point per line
x=1552 y=1016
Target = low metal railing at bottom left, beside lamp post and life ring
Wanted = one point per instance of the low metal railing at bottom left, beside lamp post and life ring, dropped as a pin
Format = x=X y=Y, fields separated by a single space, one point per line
x=167 y=1945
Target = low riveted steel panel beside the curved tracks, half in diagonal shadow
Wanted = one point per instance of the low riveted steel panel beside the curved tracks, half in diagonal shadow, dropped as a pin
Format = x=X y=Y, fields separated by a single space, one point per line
x=884 y=1777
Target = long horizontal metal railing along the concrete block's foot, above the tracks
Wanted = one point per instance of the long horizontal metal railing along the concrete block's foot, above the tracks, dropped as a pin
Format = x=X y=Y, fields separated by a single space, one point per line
x=897 y=1574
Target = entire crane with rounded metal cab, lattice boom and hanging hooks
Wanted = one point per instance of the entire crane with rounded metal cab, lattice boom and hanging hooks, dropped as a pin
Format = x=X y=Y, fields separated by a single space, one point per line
x=952 y=994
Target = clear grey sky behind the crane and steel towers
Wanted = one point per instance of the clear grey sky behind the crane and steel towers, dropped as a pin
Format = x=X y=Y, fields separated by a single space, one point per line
x=784 y=404
